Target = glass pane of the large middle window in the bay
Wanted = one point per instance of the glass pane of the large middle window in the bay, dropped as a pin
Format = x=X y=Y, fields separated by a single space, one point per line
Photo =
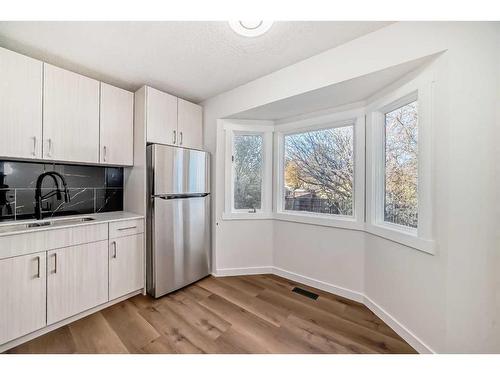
x=319 y=171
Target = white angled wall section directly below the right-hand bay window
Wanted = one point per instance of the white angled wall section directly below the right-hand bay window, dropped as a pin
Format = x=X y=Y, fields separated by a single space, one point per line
x=410 y=286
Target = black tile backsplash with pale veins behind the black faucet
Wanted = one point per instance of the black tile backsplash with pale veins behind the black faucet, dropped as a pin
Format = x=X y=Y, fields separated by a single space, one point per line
x=92 y=189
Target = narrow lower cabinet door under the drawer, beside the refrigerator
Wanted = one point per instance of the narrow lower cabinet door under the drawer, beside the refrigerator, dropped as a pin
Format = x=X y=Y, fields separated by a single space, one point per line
x=126 y=265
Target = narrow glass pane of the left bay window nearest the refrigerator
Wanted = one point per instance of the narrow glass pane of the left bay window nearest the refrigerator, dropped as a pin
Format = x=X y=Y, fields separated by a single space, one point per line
x=247 y=171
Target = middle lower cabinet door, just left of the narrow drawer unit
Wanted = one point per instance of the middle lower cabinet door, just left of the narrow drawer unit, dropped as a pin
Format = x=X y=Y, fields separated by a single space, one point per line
x=77 y=279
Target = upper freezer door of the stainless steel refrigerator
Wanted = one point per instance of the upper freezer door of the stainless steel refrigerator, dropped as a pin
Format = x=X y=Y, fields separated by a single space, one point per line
x=180 y=170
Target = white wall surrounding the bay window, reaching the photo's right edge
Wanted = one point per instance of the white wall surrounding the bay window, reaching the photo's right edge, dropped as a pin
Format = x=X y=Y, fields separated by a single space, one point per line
x=450 y=301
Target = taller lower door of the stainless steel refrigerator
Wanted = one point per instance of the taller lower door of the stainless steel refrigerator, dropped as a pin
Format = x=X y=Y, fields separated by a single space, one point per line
x=180 y=243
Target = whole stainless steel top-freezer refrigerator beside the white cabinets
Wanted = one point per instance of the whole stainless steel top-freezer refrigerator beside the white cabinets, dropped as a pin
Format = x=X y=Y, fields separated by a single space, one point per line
x=178 y=218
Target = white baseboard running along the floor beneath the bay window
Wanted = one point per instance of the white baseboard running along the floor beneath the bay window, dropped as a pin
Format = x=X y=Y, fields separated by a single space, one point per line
x=390 y=320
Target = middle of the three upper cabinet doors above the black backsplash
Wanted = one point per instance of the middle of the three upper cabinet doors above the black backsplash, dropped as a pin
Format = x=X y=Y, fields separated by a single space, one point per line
x=70 y=116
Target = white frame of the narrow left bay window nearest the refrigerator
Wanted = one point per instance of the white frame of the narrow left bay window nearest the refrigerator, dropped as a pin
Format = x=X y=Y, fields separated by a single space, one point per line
x=248 y=127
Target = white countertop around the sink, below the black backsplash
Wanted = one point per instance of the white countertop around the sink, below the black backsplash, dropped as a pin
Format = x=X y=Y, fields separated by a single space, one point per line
x=20 y=226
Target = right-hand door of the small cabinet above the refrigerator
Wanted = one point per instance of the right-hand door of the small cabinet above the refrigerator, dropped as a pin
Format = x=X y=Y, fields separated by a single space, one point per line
x=190 y=125
